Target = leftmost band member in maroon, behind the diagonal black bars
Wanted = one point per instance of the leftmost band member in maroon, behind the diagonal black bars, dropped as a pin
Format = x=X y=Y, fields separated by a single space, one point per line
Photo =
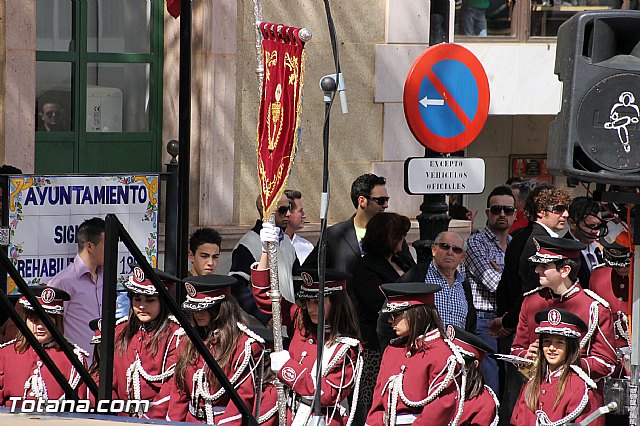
x=22 y=372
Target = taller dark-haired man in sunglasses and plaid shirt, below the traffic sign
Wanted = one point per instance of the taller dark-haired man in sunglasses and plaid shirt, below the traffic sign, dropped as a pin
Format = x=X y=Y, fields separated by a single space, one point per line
x=484 y=265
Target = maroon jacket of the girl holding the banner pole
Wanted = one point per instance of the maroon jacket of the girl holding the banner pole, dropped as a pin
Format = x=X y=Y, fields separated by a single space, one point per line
x=341 y=362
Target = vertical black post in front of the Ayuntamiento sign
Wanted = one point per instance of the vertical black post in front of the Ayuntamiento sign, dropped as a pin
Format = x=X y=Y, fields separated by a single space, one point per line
x=109 y=295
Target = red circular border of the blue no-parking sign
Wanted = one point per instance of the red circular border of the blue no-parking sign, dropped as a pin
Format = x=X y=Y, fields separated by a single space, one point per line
x=411 y=103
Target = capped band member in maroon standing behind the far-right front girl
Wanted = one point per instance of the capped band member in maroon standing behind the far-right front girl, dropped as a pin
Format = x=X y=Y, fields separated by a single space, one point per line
x=558 y=262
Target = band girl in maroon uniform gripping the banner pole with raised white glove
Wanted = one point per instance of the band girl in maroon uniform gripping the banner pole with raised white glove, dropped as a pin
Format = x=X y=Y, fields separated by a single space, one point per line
x=296 y=368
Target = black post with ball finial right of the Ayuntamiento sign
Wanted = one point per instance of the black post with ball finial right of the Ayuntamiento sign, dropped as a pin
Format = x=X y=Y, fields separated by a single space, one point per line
x=171 y=231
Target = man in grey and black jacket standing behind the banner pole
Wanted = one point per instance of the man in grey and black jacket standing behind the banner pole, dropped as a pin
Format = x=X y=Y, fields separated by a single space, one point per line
x=248 y=251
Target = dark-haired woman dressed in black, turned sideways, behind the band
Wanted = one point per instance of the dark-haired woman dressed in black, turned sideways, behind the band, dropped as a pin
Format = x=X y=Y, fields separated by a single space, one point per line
x=383 y=262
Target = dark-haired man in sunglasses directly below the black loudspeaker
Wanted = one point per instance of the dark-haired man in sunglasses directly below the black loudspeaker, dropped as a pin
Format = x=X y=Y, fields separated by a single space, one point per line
x=586 y=225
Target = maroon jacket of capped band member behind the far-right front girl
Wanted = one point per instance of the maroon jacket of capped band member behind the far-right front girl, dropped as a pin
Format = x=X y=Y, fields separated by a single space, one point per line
x=598 y=353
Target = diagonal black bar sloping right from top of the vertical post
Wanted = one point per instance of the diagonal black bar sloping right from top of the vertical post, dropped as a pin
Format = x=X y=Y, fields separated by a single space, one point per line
x=114 y=225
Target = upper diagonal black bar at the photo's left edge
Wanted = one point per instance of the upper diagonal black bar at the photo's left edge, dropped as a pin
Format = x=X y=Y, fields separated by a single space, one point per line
x=47 y=322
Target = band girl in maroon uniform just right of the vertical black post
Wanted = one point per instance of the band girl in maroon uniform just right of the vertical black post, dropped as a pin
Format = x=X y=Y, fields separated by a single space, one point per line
x=144 y=348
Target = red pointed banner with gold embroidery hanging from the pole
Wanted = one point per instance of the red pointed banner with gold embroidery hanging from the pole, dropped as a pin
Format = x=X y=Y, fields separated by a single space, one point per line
x=280 y=106
